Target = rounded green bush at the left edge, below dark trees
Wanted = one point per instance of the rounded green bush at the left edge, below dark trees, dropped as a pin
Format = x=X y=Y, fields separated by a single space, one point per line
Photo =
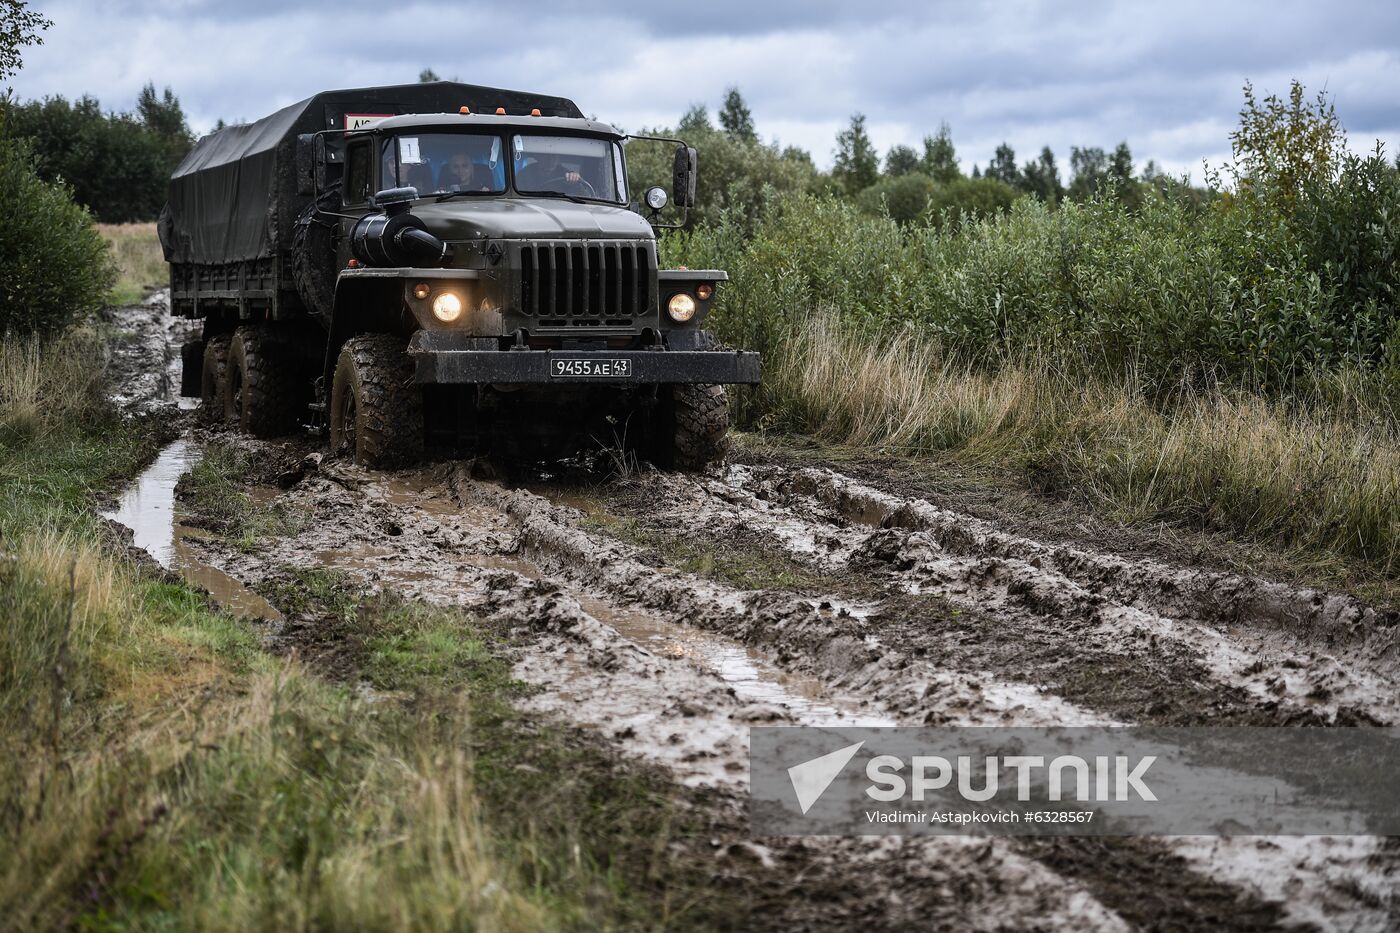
x=55 y=268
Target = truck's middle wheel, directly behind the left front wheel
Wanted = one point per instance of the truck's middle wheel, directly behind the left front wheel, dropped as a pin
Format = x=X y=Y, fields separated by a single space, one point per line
x=264 y=389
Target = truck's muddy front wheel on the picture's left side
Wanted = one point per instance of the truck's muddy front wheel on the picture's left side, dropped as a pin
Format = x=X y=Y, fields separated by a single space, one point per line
x=376 y=408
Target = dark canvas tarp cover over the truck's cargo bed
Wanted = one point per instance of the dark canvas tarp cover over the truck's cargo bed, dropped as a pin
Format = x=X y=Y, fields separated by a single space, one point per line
x=234 y=197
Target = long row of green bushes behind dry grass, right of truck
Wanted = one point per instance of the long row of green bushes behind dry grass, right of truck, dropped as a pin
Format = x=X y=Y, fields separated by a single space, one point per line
x=1168 y=291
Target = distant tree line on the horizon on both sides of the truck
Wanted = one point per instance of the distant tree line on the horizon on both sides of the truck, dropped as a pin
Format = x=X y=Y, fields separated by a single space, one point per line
x=118 y=163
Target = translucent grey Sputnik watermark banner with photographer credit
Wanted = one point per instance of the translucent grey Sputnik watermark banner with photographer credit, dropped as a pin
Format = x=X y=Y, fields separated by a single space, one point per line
x=1074 y=781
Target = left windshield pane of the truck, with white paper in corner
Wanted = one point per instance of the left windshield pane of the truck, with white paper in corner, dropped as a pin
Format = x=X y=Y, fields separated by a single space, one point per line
x=442 y=163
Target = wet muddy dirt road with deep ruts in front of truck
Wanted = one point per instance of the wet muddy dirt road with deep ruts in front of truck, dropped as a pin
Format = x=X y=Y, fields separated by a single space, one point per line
x=670 y=614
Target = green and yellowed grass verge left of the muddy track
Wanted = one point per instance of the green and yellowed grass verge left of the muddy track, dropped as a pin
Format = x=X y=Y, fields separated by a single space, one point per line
x=160 y=768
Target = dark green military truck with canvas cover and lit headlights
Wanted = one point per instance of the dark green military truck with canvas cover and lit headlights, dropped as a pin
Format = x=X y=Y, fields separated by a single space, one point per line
x=444 y=265
